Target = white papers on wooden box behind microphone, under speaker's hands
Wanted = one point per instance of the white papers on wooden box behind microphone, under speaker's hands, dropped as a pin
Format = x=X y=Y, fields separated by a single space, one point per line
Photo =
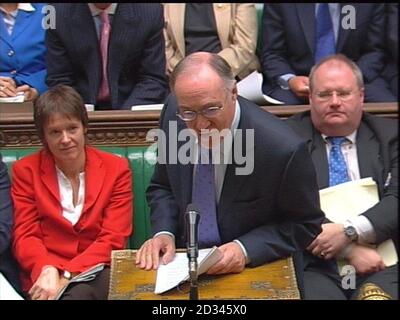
x=171 y=274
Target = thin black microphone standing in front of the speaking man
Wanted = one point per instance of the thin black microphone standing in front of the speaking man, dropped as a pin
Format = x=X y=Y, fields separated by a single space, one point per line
x=192 y=222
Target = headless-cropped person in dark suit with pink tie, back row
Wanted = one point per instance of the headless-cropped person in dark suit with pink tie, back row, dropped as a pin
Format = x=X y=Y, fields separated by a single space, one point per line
x=135 y=69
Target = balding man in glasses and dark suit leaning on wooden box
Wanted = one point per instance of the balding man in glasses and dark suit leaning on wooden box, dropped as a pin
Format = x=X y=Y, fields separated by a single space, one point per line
x=264 y=212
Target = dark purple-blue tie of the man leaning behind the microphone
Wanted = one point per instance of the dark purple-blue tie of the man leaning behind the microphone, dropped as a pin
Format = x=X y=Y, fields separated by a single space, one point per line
x=204 y=198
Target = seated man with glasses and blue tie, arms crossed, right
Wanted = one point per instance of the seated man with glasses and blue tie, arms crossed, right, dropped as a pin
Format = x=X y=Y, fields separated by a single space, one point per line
x=370 y=149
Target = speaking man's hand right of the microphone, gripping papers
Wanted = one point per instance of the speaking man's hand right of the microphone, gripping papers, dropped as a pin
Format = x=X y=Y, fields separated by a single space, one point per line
x=232 y=261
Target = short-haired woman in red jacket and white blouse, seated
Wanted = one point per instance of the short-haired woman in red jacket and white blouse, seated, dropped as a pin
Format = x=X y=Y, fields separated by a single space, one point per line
x=73 y=203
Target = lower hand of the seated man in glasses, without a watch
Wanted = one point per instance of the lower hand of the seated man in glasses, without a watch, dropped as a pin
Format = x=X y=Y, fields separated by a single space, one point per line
x=365 y=260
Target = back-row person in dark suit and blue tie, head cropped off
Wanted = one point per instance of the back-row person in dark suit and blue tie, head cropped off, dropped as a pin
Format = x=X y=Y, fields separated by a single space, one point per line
x=289 y=37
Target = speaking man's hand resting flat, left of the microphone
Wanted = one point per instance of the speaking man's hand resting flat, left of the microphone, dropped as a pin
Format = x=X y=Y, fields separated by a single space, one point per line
x=148 y=256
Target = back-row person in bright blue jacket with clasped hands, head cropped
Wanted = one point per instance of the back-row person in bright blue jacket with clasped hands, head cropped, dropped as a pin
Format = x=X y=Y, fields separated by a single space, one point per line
x=22 y=50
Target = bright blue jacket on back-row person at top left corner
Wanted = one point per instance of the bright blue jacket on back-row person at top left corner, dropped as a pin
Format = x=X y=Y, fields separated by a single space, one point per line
x=22 y=54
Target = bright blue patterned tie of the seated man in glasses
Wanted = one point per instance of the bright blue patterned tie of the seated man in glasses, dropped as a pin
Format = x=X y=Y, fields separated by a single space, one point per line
x=337 y=166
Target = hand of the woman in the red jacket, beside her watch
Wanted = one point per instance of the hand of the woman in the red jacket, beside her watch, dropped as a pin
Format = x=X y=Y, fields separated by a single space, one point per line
x=47 y=285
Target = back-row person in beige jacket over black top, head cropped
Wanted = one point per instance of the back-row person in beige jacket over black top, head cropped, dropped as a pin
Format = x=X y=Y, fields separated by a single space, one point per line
x=229 y=29
